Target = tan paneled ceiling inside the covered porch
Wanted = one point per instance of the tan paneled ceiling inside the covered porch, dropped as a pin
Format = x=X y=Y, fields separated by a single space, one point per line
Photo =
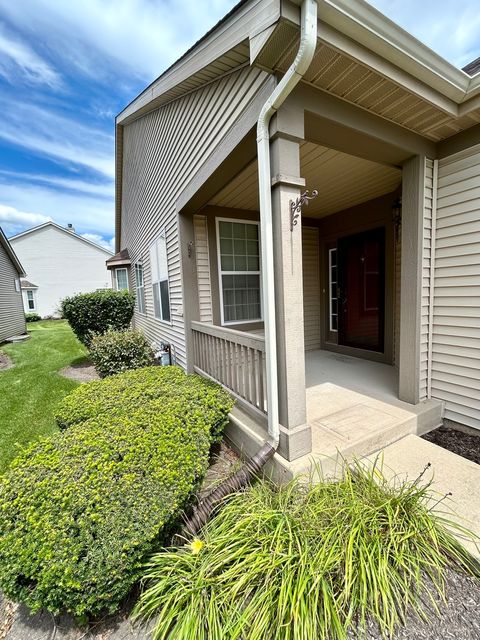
x=342 y=181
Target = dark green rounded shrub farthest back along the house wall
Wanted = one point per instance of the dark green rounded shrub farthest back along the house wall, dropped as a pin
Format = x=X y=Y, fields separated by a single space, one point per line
x=95 y=313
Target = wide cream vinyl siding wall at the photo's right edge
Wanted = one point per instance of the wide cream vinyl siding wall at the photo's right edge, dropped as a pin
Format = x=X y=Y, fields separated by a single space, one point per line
x=455 y=375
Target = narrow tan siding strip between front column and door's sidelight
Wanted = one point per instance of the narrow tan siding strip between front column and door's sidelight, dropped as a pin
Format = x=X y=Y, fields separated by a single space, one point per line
x=311 y=287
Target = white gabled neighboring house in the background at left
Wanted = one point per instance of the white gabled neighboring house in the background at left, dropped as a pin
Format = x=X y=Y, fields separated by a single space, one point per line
x=58 y=263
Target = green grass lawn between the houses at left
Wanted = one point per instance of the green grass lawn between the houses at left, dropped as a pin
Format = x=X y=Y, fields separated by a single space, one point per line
x=31 y=389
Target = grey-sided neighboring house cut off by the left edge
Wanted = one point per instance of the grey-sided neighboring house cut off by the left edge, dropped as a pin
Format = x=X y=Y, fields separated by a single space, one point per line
x=12 y=317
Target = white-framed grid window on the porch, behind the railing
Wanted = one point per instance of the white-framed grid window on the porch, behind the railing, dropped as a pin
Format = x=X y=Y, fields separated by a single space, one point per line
x=239 y=271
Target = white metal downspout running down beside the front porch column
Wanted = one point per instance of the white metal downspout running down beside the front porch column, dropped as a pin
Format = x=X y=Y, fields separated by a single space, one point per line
x=306 y=51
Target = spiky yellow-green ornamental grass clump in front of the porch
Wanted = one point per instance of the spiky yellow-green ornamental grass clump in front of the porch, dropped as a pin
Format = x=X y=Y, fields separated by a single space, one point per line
x=305 y=561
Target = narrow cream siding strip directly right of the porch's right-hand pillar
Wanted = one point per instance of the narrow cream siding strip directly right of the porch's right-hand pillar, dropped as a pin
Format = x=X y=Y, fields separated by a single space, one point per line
x=426 y=276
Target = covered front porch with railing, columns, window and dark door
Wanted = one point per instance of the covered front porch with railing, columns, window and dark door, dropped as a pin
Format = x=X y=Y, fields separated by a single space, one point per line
x=351 y=287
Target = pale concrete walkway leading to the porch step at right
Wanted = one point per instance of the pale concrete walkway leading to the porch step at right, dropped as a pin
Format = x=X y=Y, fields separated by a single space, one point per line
x=449 y=473
